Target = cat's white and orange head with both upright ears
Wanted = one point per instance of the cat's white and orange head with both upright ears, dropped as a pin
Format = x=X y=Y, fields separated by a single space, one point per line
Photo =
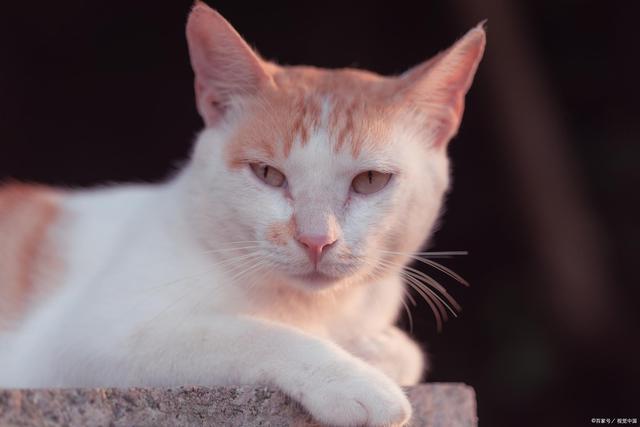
x=317 y=176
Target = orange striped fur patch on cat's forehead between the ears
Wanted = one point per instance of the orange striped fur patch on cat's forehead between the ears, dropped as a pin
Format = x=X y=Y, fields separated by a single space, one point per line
x=350 y=108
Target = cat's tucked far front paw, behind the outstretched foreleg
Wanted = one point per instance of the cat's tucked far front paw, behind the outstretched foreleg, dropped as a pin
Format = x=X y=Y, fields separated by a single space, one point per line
x=393 y=352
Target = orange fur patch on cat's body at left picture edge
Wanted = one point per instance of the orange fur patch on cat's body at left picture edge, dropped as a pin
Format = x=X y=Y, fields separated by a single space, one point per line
x=26 y=214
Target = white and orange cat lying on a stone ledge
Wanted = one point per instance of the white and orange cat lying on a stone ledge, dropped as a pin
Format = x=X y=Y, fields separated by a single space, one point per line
x=274 y=256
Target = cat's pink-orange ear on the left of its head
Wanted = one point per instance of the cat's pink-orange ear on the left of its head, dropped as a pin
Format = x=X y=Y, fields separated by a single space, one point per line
x=225 y=67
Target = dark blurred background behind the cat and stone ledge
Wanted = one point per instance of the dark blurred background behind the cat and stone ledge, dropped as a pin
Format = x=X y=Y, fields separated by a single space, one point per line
x=545 y=165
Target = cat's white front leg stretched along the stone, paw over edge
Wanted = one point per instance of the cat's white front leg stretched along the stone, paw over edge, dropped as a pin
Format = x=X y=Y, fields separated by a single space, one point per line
x=335 y=387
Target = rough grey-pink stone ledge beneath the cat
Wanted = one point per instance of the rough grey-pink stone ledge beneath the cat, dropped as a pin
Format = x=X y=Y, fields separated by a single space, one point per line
x=449 y=405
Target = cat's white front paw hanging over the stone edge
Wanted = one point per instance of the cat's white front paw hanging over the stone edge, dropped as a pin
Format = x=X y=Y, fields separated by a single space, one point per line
x=356 y=396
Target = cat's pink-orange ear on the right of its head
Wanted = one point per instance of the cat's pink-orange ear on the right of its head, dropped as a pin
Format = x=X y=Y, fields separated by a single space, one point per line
x=438 y=86
